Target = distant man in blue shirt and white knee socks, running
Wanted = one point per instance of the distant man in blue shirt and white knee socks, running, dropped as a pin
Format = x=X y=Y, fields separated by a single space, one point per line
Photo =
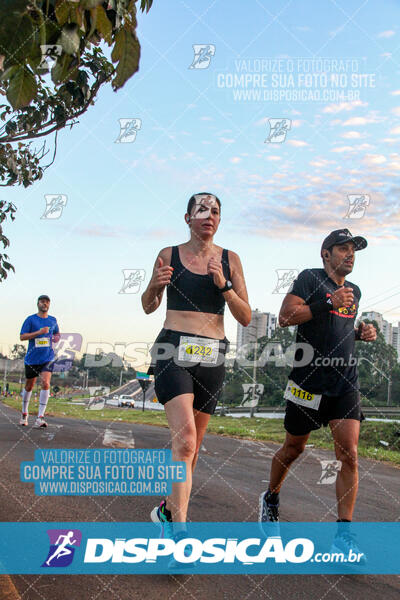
x=41 y=330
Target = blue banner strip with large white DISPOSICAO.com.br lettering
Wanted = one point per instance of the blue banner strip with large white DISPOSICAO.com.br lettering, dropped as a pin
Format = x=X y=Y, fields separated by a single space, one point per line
x=212 y=548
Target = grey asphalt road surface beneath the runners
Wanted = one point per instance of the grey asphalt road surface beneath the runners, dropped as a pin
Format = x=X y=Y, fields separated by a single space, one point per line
x=228 y=480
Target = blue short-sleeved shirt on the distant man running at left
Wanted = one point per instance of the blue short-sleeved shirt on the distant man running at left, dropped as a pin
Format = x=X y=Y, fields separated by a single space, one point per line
x=40 y=348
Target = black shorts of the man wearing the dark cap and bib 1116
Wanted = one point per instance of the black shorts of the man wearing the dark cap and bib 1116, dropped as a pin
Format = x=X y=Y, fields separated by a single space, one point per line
x=300 y=420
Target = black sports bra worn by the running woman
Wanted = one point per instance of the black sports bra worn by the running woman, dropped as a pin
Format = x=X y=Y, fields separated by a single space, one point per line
x=194 y=292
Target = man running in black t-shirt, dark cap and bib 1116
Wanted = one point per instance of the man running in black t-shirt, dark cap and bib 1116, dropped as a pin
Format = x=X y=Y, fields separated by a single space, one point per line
x=323 y=385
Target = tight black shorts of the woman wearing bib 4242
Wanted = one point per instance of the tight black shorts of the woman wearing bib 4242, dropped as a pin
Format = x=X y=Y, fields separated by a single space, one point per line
x=173 y=377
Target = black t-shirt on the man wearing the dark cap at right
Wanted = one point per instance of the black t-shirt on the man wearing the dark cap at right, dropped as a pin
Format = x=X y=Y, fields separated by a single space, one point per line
x=331 y=335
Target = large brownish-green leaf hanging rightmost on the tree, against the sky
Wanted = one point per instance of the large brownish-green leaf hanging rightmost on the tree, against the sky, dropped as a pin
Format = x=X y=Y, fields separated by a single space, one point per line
x=127 y=52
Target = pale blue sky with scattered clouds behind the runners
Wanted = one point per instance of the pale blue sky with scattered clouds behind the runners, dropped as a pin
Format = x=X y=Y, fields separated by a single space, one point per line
x=215 y=78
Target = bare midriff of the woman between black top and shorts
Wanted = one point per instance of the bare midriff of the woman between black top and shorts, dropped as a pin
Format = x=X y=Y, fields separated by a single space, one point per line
x=206 y=324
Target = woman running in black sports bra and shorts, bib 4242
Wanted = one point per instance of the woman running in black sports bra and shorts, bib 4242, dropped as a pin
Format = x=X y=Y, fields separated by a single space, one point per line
x=200 y=277
